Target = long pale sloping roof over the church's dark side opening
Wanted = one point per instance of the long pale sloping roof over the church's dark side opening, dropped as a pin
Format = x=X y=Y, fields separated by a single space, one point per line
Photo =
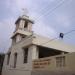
x=55 y=44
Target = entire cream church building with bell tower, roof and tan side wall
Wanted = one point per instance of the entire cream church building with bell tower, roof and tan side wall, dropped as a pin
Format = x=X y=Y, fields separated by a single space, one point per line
x=29 y=56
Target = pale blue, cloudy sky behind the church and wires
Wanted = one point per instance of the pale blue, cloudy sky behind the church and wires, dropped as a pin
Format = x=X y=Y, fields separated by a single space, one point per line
x=50 y=18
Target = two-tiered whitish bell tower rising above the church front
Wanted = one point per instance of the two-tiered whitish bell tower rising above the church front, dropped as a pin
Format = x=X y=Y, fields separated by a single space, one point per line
x=23 y=28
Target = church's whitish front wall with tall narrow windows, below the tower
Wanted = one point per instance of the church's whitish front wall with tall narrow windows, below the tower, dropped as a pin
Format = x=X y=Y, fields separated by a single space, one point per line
x=21 y=68
